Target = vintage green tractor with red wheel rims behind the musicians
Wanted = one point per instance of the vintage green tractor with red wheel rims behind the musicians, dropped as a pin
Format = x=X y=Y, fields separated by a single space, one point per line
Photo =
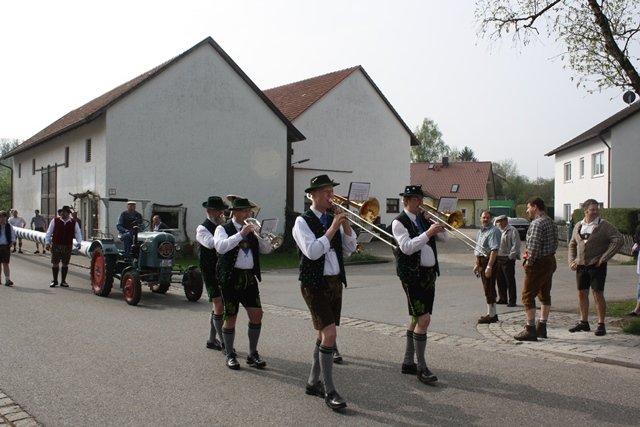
x=151 y=261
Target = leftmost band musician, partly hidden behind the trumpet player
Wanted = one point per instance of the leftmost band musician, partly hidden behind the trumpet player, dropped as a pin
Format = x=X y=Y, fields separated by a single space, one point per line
x=215 y=207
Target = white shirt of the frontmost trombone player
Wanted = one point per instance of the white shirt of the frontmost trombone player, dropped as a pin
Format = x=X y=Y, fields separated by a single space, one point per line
x=314 y=248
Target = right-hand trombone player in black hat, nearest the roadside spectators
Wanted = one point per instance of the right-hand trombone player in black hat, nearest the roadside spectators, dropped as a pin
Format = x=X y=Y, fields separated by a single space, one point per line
x=417 y=268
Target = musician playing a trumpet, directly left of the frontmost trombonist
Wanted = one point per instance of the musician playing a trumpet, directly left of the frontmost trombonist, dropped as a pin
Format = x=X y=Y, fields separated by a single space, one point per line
x=238 y=270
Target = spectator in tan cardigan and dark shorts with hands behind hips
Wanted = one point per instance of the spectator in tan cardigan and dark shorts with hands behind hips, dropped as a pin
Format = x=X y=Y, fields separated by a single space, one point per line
x=594 y=241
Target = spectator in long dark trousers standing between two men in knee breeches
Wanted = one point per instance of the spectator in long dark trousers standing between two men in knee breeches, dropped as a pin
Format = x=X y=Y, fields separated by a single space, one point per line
x=508 y=253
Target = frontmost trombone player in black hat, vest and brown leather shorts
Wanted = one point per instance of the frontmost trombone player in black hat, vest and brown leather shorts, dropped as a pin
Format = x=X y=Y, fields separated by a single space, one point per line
x=323 y=240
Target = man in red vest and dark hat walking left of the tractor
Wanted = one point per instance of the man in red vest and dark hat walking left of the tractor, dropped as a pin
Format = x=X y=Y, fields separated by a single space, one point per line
x=59 y=240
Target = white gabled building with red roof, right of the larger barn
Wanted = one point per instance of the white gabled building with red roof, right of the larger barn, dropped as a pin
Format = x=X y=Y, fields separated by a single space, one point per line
x=353 y=134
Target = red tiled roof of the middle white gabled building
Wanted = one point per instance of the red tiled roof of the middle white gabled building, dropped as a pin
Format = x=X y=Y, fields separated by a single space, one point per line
x=295 y=98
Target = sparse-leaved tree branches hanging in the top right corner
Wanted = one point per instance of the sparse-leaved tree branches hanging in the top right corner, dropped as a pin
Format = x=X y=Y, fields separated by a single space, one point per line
x=598 y=36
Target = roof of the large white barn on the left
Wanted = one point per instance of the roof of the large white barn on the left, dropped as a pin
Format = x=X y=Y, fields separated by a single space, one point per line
x=98 y=106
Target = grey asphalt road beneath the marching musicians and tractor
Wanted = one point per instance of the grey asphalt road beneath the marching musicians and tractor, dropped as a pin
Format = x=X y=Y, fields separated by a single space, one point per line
x=70 y=358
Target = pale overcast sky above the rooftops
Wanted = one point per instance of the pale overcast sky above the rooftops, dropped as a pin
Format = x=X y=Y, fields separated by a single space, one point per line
x=503 y=101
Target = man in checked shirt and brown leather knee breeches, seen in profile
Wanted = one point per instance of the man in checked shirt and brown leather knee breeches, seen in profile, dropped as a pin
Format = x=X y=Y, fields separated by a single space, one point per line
x=539 y=266
